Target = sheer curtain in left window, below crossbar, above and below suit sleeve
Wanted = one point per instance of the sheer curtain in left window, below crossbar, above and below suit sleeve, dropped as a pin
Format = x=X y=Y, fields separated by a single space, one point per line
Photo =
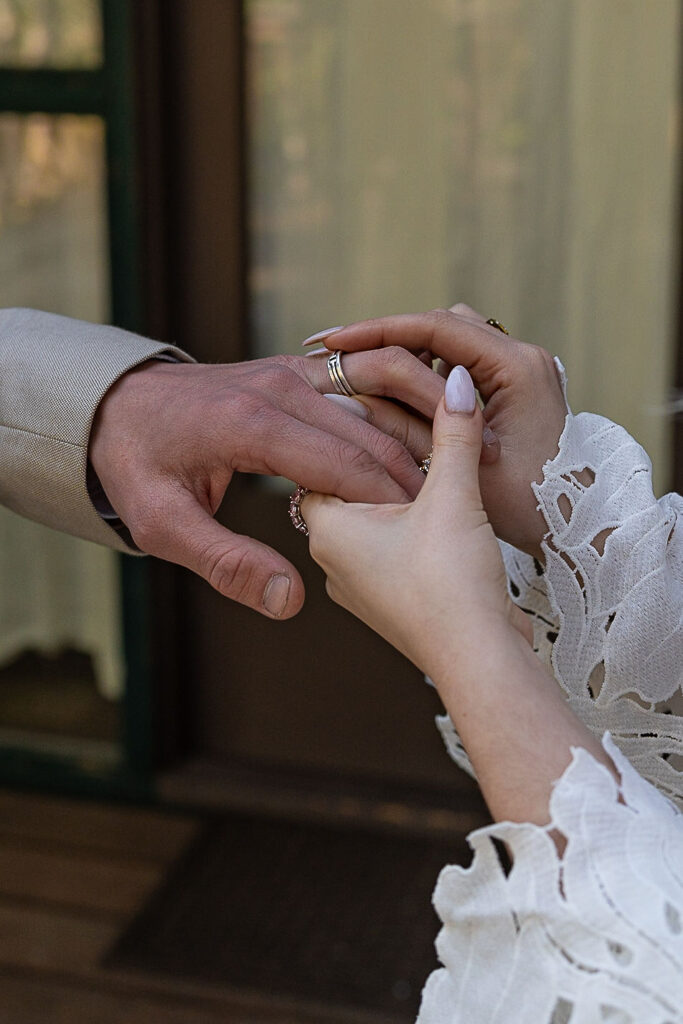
x=57 y=592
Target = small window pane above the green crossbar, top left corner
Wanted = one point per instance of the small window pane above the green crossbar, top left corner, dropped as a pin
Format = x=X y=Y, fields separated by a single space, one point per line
x=51 y=34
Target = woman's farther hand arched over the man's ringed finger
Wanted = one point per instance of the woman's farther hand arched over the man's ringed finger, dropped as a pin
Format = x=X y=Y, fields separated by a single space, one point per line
x=525 y=405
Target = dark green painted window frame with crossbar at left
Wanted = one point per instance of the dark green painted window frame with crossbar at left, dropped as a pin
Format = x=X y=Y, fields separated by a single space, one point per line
x=109 y=93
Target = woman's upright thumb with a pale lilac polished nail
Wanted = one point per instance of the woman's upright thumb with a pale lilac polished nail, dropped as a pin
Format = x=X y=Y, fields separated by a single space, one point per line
x=457 y=439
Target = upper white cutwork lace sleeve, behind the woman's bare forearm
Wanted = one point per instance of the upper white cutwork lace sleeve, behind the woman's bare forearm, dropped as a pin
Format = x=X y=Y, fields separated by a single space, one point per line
x=609 y=608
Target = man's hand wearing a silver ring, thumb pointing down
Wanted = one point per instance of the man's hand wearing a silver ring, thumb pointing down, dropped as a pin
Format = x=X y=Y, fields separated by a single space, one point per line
x=167 y=439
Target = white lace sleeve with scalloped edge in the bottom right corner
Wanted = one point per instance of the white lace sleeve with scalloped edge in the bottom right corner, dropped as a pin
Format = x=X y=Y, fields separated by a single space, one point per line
x=594 y=935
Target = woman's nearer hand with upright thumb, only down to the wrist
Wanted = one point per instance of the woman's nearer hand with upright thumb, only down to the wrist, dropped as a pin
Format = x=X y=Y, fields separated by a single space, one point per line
x=418 y=573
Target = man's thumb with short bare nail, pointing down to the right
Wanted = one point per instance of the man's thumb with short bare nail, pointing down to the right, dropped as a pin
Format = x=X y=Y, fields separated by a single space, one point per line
x=239 y=568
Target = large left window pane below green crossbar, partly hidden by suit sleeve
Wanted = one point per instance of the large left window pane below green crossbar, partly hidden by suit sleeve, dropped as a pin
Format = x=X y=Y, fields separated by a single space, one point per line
x=61 y=646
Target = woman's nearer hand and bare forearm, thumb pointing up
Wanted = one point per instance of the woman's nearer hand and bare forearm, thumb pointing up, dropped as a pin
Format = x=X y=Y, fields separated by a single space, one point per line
x=430 y=578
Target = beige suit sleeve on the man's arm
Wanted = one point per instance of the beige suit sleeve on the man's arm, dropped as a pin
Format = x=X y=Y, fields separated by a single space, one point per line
x=54 y=373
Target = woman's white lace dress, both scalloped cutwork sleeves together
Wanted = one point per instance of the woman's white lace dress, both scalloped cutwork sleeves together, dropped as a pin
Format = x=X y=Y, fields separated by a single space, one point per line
x=596 y=935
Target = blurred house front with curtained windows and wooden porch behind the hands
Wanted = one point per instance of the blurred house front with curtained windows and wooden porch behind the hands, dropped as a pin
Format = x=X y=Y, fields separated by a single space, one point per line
x=232 y=177
